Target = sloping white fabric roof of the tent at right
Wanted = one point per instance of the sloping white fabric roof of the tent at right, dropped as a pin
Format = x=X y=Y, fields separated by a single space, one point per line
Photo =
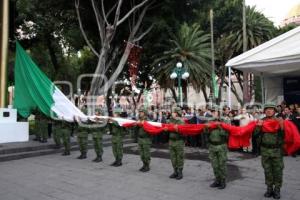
x=277 y=57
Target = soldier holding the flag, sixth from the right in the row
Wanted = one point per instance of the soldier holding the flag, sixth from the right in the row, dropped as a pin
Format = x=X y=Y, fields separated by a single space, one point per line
x=97 y=133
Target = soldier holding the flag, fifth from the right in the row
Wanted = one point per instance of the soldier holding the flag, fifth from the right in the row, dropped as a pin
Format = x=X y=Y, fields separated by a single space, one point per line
x=117 y=133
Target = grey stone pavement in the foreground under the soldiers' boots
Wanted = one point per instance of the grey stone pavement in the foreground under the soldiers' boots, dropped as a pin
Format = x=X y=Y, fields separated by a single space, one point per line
x=54 y=177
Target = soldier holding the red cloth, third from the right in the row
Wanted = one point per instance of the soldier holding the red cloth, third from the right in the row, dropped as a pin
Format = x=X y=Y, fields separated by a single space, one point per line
x=176 y=145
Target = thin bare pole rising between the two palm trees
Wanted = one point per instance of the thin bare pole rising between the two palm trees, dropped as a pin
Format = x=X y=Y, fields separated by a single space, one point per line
x=212 y=52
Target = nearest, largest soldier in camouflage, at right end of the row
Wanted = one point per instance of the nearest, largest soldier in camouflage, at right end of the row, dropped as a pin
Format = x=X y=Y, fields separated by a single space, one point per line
x=271 y=148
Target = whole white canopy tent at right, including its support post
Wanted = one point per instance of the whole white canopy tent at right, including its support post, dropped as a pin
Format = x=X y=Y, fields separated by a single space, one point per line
x=272 y=61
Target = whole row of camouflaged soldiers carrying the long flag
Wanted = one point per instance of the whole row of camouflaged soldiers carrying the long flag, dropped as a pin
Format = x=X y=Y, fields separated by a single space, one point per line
x=271 y=146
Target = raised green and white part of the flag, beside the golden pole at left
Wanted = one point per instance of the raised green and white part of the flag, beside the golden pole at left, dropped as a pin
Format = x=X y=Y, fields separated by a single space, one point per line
x=34 y=90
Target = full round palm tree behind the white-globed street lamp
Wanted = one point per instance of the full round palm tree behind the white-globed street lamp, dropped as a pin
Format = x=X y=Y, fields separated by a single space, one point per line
x=191 y=46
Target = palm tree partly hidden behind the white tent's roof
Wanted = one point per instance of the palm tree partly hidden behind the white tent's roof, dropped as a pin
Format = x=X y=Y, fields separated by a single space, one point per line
x=259 y=29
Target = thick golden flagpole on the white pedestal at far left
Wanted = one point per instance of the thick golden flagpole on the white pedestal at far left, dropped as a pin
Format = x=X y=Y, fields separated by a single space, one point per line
x=4 y=50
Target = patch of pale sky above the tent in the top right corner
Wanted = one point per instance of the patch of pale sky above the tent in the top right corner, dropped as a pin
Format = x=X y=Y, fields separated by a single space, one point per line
x=275 y=10
